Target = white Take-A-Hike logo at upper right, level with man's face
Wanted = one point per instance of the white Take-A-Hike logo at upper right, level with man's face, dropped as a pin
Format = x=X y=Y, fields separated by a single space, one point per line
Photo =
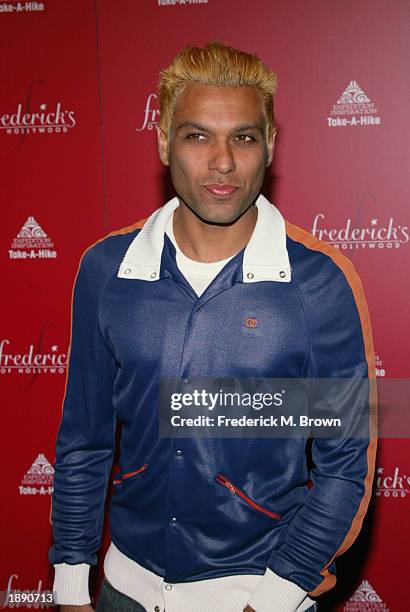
x=353 y=108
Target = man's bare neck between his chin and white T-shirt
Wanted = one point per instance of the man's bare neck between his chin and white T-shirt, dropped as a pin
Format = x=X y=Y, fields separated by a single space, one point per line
x=206 y=242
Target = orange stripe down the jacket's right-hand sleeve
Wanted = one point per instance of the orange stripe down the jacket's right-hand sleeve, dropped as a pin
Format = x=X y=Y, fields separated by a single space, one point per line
x=300 y=235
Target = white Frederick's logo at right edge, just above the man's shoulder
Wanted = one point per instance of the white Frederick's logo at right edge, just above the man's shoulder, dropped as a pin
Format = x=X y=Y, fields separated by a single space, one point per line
x=375 y=235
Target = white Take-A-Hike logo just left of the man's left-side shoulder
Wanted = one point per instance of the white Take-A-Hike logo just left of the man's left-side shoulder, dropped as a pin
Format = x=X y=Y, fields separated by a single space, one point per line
x=32 y=242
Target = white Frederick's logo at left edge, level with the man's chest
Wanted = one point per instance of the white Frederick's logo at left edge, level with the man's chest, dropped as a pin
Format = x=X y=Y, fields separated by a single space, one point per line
x=31 y=361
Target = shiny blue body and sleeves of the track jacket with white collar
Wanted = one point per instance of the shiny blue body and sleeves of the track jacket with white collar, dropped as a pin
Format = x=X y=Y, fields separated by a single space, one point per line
x=137 y=320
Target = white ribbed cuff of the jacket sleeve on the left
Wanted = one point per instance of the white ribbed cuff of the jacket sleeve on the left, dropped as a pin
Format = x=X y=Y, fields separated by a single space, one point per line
x=71 y=584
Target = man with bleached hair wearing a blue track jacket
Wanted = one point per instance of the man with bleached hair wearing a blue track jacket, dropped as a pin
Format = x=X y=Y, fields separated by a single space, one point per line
x=215 y=284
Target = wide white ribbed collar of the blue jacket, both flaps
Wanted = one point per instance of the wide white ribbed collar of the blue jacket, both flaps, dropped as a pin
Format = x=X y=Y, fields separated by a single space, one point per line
x=265 y=257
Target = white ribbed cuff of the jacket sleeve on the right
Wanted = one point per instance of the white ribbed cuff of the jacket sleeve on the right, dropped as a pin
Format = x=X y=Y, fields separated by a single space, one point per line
x=276 y=593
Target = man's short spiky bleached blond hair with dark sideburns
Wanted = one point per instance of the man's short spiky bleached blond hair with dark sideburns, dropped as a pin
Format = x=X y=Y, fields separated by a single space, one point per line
x=220 y=65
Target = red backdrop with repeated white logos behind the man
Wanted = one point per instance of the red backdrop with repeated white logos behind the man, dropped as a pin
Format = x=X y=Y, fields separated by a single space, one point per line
x=78 y=110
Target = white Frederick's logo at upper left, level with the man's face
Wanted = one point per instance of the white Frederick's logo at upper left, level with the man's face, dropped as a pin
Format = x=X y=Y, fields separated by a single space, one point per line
x=44 y=121
